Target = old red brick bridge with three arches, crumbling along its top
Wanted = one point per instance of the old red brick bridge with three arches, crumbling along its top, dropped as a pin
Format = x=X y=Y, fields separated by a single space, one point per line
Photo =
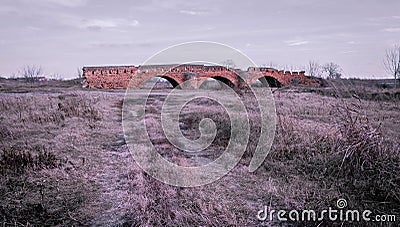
x=118 y=77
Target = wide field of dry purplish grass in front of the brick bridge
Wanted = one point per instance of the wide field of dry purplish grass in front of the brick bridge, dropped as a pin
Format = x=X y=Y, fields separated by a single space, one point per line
x=64 y=160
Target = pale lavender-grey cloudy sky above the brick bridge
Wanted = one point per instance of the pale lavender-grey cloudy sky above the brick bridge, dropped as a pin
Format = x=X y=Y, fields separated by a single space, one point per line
x=62 y=35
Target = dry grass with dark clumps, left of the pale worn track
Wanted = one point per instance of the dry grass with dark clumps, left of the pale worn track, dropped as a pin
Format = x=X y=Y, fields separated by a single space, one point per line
x=37 y=186
